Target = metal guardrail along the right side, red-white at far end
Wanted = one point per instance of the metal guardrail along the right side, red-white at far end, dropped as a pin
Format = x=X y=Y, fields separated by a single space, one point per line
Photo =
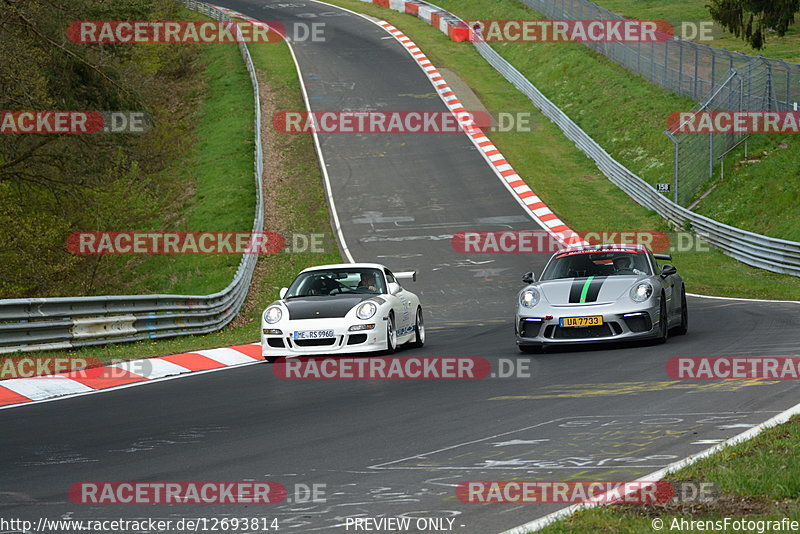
x=772 y=254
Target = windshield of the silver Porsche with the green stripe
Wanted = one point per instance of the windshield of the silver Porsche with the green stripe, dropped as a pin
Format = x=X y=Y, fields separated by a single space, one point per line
x=580 y=264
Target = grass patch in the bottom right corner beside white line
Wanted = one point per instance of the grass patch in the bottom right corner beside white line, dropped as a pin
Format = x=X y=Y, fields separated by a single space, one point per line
x=758 y=480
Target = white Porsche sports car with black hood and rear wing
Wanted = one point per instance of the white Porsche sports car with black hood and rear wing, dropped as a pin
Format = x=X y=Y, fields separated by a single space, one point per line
x=345 y=308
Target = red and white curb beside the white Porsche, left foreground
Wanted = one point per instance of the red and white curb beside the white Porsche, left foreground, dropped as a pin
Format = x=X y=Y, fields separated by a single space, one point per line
x=25 y=390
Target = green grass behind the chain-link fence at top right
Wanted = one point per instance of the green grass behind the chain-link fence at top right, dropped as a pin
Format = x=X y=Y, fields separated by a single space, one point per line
x=786 y=48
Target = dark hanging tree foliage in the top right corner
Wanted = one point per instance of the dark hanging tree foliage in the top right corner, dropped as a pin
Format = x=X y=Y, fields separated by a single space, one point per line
x=752 y=19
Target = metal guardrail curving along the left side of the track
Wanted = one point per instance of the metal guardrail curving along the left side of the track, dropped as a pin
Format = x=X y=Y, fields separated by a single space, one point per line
x=67 y=322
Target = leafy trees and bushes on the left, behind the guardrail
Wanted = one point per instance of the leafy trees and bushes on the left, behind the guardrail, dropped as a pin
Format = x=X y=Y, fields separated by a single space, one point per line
x=53 y=185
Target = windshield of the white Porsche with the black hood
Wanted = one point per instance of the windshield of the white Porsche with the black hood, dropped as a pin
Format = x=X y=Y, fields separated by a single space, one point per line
x=334 y=282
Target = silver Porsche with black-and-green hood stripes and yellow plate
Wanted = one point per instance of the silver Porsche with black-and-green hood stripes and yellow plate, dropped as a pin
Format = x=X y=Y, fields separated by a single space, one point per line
x=601 y=293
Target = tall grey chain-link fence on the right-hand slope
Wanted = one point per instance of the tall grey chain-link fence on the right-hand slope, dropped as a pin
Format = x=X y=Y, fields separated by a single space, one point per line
x=696 y=71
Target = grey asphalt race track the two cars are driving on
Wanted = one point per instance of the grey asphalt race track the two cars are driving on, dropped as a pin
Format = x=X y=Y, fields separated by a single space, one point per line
x=399 y=448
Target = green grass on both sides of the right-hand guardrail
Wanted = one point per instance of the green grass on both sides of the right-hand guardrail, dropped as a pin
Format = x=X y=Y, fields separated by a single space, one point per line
x=562 y=176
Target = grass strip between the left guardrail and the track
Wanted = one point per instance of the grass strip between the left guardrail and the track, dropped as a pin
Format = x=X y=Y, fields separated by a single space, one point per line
x=296 y=194
